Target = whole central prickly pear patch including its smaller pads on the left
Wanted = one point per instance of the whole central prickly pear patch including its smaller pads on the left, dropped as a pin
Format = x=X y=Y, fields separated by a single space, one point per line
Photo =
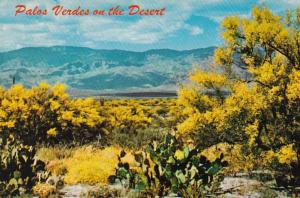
x=170 y=167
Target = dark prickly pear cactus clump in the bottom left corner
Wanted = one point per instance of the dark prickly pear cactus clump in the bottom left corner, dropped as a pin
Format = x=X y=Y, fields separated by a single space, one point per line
x=19 y=170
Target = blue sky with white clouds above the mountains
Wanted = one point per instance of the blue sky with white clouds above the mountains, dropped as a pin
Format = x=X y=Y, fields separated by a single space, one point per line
x=188 y=24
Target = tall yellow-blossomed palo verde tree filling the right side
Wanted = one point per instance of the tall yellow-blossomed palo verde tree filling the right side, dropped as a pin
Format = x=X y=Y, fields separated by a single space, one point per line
x=261 y=108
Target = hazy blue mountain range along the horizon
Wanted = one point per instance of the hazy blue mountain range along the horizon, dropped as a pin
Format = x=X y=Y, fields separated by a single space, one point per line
x=86 y=70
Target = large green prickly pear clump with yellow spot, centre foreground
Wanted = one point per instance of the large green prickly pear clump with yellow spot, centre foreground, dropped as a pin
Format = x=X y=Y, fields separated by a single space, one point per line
x=181 y=169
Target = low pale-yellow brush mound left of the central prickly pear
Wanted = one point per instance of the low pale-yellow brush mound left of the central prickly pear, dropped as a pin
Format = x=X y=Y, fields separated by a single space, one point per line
x=90 y=165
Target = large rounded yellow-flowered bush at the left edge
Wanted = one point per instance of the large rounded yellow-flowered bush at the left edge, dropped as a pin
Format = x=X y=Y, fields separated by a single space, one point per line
x=47 y=114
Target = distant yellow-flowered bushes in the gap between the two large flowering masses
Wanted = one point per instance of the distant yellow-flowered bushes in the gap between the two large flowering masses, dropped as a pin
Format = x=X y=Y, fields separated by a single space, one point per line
x=127 y=116
